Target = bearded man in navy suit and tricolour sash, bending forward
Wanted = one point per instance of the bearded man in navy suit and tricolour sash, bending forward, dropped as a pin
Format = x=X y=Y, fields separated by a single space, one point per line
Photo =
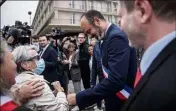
x=118 y=61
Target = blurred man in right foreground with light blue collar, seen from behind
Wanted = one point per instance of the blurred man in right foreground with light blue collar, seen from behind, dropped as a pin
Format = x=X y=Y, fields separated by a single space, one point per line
x=151 y=24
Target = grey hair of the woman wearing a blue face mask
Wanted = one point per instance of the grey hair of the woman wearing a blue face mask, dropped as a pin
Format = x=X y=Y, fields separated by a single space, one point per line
x=20 y=55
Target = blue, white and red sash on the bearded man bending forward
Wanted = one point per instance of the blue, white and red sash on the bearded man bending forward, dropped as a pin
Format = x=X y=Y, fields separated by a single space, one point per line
x=124 y=93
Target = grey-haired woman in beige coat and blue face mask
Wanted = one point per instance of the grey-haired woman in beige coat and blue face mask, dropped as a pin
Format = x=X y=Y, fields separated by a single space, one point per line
x=29 y=67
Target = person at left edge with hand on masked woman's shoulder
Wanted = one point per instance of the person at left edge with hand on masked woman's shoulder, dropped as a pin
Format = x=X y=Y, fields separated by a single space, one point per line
x=7 y=79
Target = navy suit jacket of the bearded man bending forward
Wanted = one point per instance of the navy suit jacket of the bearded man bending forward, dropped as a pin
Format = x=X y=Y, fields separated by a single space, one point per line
x=117 y=60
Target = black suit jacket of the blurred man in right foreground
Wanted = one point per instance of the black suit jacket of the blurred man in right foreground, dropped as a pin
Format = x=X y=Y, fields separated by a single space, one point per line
x=156 y=90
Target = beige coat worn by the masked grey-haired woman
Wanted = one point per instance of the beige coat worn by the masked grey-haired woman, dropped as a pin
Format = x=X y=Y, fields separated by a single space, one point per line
x=47 y=101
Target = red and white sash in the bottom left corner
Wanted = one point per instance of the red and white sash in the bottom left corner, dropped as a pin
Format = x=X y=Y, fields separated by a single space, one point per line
x=7 y=104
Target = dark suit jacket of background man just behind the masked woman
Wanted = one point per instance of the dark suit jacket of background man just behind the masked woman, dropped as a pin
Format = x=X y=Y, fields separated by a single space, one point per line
x=50 y=58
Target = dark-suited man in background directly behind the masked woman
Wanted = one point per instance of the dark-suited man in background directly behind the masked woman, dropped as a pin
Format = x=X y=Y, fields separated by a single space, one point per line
x=49 y=54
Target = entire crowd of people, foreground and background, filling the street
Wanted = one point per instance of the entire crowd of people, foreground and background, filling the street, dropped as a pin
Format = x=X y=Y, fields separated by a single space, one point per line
x=35 y=76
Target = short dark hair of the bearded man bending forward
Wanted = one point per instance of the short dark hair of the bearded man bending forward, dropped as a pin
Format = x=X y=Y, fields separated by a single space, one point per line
x=89 y=15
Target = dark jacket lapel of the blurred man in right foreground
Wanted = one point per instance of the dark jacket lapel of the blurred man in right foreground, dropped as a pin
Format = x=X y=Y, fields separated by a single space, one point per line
x=156 y=63
